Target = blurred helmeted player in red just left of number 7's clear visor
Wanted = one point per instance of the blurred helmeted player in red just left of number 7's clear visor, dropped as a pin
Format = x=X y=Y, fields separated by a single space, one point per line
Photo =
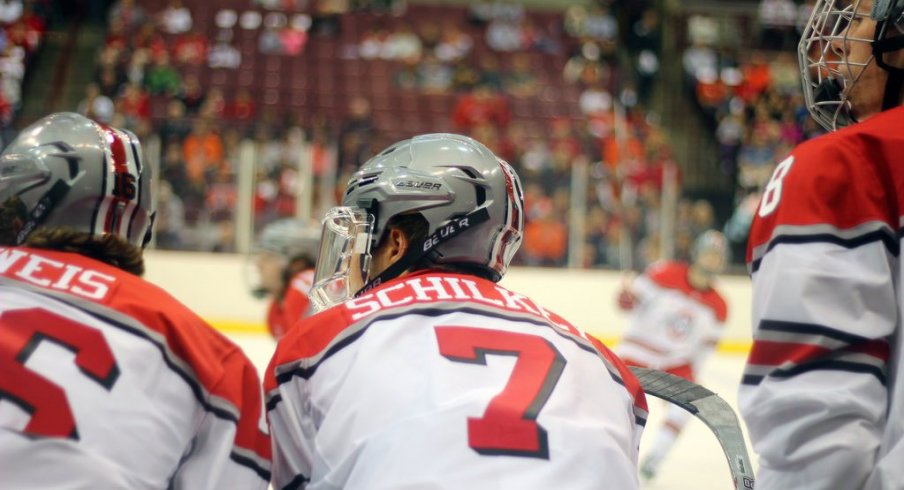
x=288 y=248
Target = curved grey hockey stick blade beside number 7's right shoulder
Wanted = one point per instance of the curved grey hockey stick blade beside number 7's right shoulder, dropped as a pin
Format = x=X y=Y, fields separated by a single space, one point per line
x=708 y=407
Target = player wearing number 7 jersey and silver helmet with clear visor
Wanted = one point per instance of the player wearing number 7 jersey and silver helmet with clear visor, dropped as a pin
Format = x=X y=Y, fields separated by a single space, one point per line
x=426 y=373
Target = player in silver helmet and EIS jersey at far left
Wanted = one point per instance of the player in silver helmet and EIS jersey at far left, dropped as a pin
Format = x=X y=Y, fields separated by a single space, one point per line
x=106 y=381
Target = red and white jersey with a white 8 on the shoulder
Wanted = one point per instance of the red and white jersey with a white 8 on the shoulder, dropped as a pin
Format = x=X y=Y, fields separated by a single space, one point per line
x=820 y=392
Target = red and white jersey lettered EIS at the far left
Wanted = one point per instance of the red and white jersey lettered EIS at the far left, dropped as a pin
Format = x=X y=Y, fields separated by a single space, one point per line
x=107 y=382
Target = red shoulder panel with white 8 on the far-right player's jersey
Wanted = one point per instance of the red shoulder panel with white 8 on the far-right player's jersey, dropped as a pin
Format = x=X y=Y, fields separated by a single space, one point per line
x=839 y=181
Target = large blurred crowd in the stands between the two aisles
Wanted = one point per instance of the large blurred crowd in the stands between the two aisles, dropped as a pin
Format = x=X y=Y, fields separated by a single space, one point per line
x=550 y=93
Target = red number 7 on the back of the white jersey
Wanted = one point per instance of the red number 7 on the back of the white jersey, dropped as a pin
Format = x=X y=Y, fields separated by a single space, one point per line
x=509 y=424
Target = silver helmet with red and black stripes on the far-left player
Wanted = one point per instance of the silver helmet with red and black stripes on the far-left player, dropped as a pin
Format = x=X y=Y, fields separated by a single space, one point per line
x=68 y=171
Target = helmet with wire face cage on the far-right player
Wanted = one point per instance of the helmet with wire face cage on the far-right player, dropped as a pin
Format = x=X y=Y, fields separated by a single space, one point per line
x=828 y=74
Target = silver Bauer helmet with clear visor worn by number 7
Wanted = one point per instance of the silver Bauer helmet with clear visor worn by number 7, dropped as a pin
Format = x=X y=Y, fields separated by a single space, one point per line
x=471 y=200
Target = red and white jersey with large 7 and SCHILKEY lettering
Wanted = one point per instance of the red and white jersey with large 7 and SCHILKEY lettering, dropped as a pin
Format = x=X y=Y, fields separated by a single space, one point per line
x=438 y=380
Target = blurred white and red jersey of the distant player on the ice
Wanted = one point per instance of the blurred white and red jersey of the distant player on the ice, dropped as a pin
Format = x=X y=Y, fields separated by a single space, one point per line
x=674 y=325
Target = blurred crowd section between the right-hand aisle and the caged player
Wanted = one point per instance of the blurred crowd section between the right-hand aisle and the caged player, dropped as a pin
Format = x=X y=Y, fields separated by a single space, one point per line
x=751 y=96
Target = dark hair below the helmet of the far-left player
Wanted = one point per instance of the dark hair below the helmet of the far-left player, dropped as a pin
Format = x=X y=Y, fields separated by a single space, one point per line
x=109 y=249
